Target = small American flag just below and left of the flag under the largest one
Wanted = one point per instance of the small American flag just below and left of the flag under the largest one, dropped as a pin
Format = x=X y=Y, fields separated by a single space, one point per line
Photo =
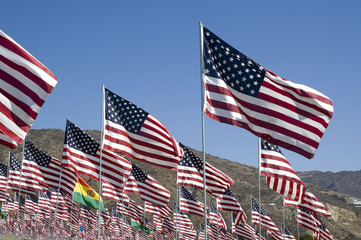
x=266 y=220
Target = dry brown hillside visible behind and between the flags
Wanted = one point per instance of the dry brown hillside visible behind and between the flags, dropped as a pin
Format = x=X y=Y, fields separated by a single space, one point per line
x=345 y=223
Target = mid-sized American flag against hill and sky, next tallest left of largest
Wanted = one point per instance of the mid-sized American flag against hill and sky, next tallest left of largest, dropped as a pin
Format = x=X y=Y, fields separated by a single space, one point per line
x=134 y=132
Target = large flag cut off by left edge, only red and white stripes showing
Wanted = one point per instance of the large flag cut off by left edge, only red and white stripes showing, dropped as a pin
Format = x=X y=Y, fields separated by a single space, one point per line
x=25 y=85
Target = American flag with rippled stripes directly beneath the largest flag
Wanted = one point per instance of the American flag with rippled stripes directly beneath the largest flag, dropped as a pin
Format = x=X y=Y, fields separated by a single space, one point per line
x=280 y=175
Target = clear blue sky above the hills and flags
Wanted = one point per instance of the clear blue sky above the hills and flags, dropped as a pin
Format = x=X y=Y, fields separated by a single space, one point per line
x=148 y=53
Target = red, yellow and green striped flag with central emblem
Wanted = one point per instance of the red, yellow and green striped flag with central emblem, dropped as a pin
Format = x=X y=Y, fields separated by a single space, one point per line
x=86 y=195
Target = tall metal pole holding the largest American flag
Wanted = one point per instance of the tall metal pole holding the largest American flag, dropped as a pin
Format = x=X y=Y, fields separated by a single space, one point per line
x=203 y=131
